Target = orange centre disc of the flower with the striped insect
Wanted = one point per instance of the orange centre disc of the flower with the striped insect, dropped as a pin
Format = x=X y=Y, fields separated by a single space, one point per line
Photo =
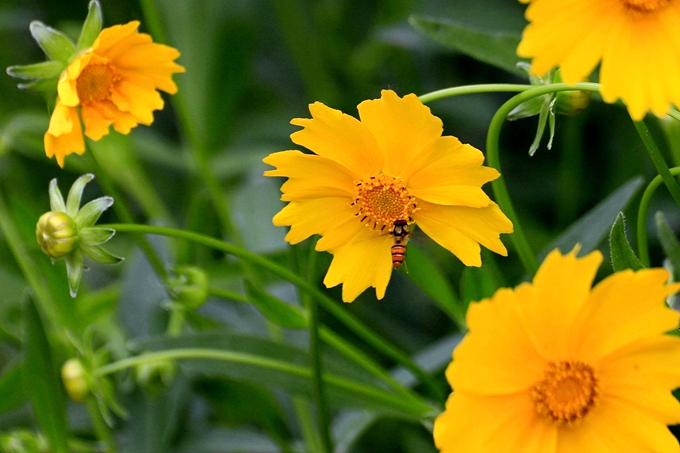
x=382 y=200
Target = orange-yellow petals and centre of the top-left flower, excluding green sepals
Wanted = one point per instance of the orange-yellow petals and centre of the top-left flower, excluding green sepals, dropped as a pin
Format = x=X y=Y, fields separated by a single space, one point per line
x=114 y=82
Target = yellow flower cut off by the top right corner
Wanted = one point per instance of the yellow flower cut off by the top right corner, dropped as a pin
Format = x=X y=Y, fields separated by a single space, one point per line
x=636 y=41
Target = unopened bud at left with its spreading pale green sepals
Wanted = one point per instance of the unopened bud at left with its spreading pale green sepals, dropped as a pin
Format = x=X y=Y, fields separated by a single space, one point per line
x=68 y=231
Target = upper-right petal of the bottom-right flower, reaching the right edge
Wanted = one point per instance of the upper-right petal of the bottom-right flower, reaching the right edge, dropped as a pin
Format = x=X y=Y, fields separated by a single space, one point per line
x=624 y=308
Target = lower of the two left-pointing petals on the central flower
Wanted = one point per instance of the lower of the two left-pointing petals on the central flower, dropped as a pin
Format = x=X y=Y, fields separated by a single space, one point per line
x=315 y=216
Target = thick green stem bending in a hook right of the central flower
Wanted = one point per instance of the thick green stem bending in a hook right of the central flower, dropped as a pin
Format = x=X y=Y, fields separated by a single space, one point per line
x=492 y=147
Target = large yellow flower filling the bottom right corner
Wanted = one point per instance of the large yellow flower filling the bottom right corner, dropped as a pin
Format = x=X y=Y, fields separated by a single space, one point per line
x=554 y=366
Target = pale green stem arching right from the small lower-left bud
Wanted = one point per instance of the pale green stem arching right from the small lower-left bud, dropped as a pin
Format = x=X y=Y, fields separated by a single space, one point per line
x=356 y=388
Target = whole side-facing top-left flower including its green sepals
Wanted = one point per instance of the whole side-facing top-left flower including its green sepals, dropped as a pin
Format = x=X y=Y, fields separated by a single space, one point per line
x=111 y=78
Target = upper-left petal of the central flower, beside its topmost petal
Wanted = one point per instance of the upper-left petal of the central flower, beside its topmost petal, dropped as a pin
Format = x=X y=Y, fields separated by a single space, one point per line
x=341 y=138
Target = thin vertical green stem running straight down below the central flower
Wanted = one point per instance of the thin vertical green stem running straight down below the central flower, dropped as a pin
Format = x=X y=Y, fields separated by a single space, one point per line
x=322 y=412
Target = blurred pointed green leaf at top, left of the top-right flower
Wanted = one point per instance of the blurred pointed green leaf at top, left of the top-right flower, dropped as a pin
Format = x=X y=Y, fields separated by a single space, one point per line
x=496 y=49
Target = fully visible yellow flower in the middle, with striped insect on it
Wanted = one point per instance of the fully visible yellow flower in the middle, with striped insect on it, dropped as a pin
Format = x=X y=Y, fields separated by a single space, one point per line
x=392 y=165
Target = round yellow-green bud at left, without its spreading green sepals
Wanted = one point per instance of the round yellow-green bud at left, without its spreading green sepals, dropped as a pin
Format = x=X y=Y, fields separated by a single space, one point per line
x=57 y=234
